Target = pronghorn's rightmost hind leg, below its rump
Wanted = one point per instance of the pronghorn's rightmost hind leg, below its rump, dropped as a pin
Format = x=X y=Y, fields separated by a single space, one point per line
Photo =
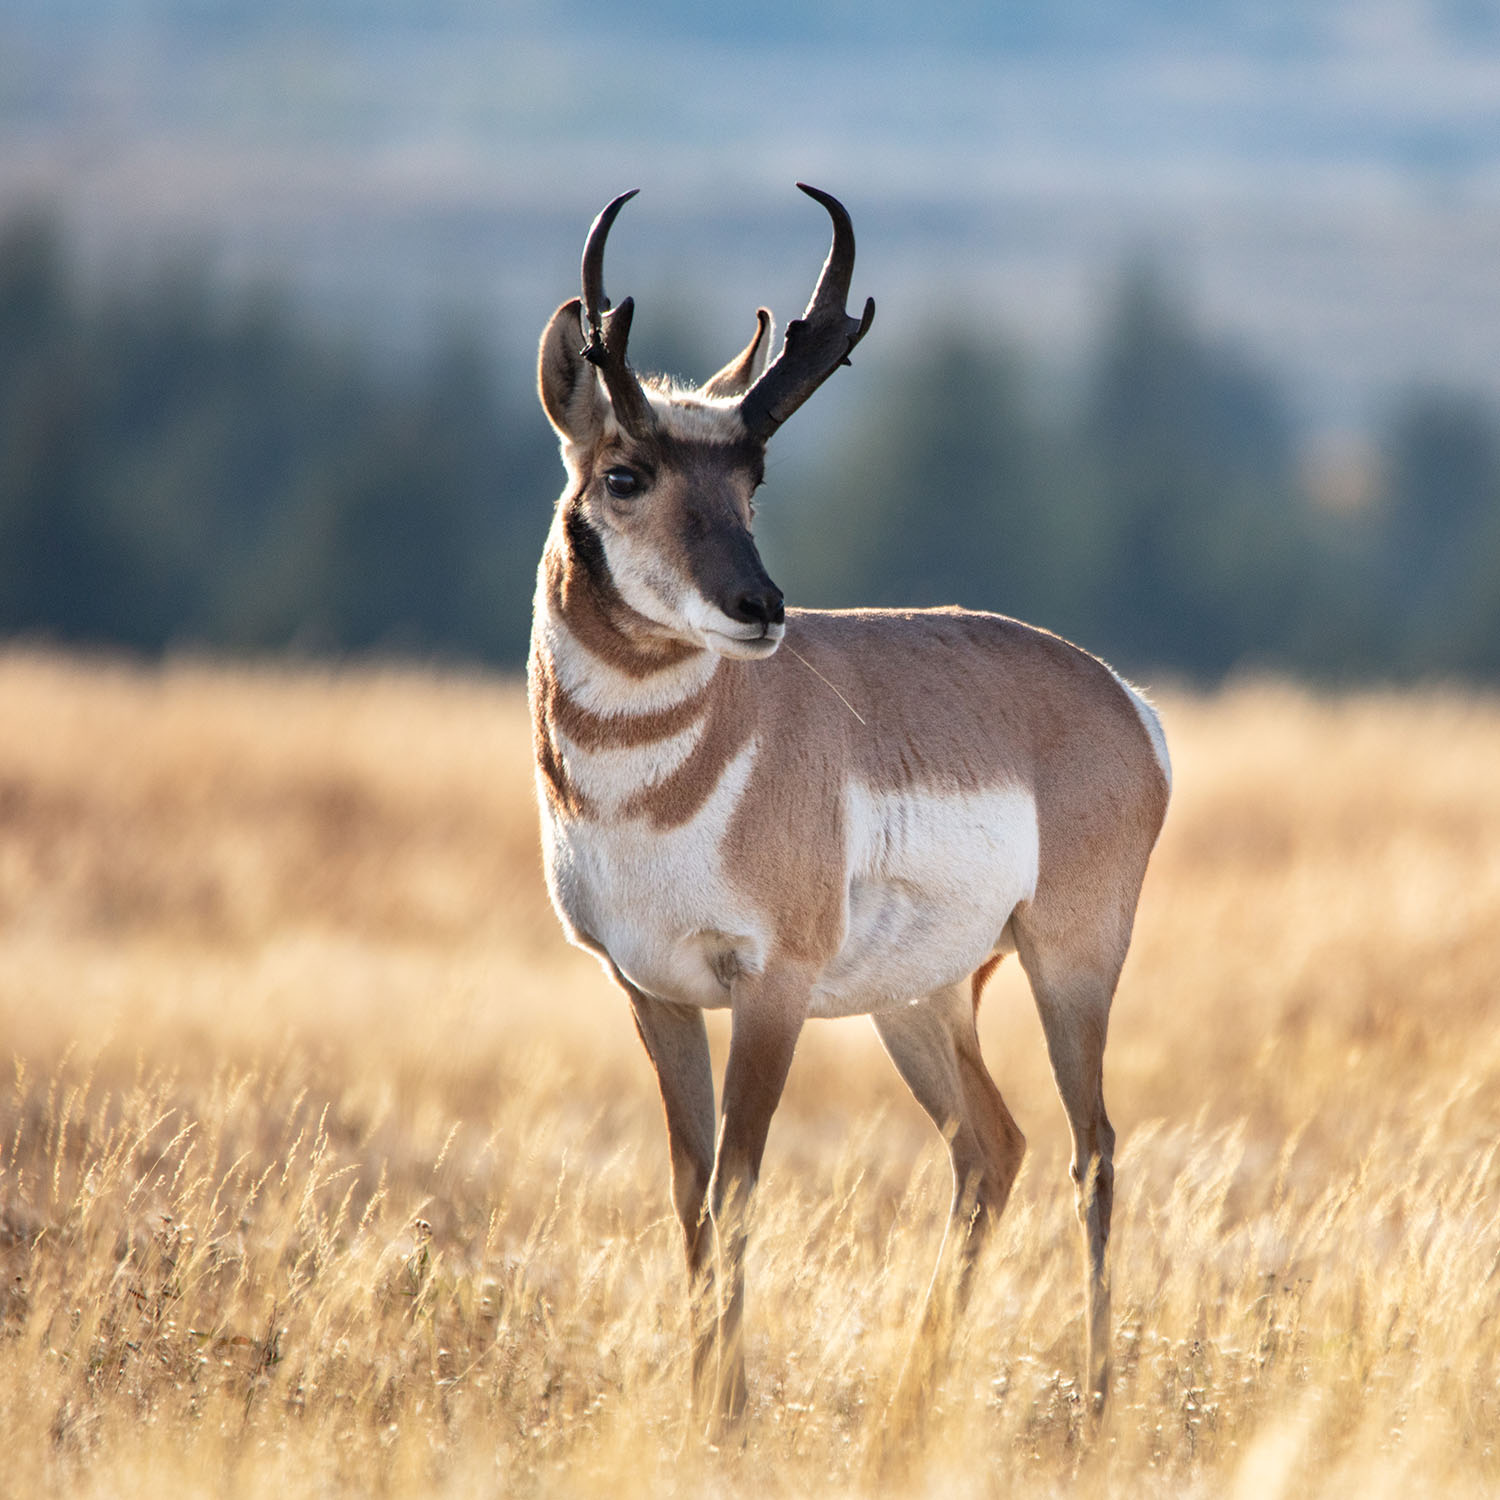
x=1073 y=1000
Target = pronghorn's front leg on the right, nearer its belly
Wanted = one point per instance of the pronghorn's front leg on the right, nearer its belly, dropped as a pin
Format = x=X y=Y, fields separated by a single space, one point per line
x=769 y=1016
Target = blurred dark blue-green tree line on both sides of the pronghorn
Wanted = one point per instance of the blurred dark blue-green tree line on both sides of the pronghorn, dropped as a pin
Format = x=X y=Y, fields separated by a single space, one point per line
x=179 y=467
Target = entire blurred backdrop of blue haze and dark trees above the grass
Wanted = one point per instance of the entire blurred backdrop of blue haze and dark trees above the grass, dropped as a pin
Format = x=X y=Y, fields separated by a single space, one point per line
x=1189 y=337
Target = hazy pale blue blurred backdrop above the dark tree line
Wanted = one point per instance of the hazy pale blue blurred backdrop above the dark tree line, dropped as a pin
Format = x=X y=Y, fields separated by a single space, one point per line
x=1324 y=178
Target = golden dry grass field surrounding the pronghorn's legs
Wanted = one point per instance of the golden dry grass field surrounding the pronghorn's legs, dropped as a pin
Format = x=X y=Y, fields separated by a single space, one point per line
x=326 y=1169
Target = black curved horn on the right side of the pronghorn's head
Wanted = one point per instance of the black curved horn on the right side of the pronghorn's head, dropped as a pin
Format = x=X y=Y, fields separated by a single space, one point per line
x=818 y=343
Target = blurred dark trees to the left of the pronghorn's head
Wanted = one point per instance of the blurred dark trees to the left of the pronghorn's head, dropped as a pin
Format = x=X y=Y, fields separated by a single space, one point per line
x=181 y=467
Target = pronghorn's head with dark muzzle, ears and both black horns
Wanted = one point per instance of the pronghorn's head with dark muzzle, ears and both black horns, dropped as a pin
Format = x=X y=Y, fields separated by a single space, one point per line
x=662 y=476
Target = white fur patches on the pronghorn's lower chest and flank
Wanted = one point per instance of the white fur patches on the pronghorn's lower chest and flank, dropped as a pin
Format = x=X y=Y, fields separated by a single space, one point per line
x=932 y=881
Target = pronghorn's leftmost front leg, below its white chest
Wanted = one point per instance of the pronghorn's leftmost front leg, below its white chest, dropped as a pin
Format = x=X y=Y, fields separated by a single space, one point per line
x=677 y=1043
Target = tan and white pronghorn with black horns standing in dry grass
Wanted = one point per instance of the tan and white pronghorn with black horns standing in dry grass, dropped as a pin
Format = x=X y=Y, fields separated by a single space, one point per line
x=811 y=814
